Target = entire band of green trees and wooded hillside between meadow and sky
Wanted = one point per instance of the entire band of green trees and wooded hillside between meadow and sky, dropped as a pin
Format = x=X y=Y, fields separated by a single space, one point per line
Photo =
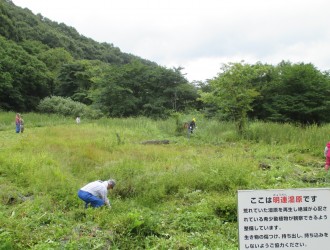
x=41 y=59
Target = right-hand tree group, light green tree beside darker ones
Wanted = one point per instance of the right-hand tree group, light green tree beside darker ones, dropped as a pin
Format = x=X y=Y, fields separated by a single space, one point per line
x=283 y=93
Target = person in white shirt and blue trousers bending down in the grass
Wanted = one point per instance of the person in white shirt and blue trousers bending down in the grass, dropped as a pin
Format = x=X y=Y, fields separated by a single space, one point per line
x=95 y=193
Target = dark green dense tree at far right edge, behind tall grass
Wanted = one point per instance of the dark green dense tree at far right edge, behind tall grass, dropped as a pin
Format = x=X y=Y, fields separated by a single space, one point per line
x=296 y=93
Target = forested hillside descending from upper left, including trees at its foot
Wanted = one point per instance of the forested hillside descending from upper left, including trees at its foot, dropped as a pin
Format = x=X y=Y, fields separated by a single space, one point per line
x=40 y=58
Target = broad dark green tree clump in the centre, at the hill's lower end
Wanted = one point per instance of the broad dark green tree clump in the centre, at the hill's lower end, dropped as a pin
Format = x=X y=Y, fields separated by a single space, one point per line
x=138 y=89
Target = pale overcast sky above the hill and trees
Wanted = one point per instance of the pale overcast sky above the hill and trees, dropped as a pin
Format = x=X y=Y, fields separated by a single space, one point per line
x=201 y=35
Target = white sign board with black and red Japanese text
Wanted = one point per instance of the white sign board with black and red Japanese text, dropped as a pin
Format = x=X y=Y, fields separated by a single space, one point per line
x=284 y=219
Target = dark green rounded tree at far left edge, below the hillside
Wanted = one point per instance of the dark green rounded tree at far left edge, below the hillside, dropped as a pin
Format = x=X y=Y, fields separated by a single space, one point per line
x=25 y=80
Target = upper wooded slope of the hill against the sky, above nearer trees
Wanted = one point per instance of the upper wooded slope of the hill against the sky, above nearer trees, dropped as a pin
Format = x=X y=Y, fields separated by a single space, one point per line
x=21 y=25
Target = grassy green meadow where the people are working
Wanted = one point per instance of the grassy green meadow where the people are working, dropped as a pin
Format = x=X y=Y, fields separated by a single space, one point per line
x=180 y=195
